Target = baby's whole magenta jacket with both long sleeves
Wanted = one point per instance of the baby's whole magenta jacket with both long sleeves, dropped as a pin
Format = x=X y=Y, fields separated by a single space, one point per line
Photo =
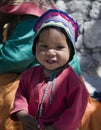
x=68 y=104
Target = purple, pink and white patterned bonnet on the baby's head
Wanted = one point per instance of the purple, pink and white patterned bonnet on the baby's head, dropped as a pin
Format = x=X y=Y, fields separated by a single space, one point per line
x=57 y=18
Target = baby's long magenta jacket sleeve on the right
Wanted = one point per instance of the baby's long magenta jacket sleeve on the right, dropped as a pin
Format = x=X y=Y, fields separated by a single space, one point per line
x=76 y=105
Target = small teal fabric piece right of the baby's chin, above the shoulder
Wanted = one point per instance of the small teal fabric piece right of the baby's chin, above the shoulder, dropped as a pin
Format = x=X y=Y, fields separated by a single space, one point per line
x=75 y=64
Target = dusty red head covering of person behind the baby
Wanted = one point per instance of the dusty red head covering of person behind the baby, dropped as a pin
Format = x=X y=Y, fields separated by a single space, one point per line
x=33 y=7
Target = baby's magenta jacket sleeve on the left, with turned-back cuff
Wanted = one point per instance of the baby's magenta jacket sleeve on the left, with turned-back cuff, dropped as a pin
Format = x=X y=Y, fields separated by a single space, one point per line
x=21 y=98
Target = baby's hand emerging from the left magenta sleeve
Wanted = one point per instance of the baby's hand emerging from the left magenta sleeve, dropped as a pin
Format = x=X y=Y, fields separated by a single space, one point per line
x=28 y=122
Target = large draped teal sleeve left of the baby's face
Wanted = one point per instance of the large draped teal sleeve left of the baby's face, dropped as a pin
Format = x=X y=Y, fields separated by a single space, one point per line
x=16 y=53
